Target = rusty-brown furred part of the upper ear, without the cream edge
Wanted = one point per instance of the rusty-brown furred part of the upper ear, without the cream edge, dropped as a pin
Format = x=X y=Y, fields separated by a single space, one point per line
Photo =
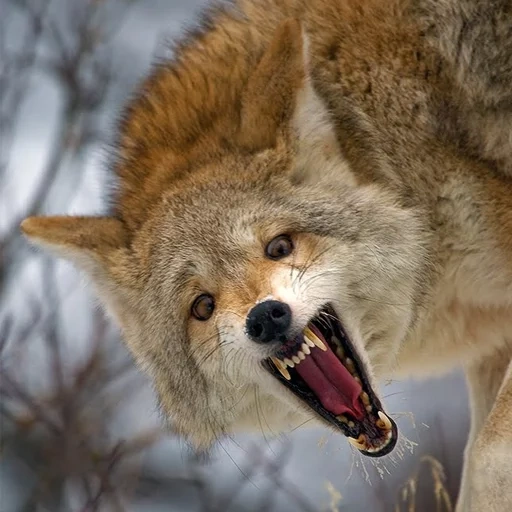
x=269 y=100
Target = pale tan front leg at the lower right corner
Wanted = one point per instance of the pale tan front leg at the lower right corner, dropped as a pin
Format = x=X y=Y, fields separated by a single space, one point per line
x=487 y=475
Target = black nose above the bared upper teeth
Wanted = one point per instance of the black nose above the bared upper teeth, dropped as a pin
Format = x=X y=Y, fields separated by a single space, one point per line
x=269 y=321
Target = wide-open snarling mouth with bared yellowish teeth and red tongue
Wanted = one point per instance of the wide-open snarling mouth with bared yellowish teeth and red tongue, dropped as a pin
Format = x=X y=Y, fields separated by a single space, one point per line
x=321 y=366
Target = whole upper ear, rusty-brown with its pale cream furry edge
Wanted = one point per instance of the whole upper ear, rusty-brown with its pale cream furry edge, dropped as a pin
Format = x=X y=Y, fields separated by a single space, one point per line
x=280 y=99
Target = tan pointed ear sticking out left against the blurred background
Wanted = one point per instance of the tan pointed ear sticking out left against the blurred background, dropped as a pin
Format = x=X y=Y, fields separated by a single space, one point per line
x=92 y=243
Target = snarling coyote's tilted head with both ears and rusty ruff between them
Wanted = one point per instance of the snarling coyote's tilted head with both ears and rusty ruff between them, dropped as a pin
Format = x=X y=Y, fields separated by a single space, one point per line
x=250 y=269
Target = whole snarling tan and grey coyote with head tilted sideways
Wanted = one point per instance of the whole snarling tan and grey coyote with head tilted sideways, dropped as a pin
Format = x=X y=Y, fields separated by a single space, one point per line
x=313 y=196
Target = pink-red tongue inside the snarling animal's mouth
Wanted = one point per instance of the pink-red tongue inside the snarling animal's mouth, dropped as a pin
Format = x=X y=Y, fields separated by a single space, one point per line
x=331 y=382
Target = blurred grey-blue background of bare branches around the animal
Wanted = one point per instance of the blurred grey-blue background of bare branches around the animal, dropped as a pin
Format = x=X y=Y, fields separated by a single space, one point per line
x=79 y=428
